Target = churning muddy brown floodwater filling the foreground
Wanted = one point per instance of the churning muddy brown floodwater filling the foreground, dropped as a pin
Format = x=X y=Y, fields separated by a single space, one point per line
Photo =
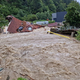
x=40 y=56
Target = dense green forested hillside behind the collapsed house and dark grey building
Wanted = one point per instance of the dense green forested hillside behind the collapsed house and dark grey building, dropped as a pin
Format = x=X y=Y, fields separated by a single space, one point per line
x=22 y=8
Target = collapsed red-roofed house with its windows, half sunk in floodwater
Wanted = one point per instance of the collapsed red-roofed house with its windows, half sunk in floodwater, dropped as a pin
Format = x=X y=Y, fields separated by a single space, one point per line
x=16 y=25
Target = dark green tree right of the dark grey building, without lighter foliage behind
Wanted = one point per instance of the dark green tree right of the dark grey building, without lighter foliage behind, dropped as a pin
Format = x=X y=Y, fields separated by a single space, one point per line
x=73 y=16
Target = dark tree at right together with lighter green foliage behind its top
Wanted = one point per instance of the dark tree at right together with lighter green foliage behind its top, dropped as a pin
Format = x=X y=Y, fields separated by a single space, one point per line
x=73 y=14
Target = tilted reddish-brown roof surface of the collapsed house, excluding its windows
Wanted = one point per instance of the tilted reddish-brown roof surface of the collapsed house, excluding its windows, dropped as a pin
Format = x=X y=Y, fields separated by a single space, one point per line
x=16 y=23
